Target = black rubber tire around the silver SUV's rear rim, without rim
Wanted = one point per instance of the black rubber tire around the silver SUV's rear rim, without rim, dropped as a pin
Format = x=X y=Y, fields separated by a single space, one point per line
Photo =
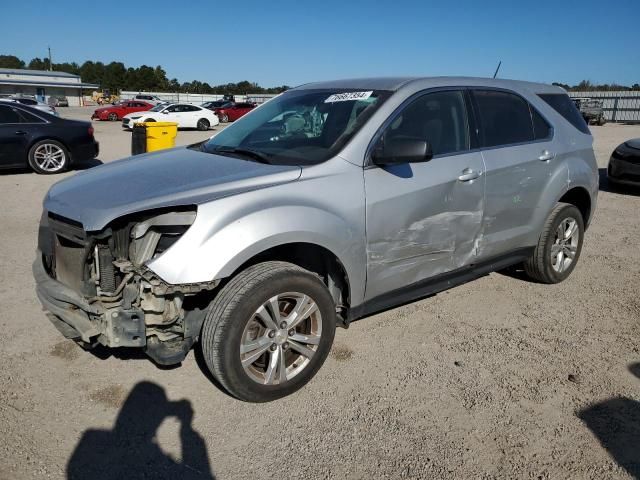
x=540 y=266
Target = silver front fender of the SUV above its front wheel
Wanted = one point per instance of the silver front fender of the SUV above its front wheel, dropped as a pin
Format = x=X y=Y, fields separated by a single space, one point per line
x=230 y=231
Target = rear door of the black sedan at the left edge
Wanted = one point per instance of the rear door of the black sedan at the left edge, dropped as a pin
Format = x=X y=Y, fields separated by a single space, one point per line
x=14 y=137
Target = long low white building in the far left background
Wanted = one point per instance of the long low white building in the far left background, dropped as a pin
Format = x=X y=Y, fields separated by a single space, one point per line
x=43 y=84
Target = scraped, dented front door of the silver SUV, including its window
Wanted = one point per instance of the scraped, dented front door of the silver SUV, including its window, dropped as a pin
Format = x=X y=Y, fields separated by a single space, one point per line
x=424 y=219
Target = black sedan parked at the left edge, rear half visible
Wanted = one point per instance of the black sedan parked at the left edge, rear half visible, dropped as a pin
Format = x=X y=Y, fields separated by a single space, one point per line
x=46 y=143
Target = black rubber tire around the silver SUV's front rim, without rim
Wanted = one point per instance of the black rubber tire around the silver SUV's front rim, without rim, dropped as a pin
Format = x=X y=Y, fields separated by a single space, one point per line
x=235 y=305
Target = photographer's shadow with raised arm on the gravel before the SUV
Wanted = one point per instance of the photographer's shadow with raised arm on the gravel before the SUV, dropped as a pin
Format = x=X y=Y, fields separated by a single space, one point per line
x=130 y=450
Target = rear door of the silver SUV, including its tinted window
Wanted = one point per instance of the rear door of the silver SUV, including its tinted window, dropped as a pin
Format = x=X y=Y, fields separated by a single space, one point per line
x=517 y=147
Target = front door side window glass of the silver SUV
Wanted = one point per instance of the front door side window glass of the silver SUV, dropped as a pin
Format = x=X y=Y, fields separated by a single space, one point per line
x=440 y=118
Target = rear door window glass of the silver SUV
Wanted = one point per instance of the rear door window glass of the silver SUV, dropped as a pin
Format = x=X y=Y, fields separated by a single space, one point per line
x=504 y=118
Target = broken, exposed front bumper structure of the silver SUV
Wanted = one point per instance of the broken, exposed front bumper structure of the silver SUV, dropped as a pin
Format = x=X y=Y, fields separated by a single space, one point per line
x=118 y=322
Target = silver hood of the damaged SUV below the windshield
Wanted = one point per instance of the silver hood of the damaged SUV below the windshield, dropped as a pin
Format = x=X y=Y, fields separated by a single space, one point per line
x=179 y=176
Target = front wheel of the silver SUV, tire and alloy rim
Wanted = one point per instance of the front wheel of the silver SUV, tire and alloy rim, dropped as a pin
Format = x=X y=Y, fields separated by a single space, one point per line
x=268 y=331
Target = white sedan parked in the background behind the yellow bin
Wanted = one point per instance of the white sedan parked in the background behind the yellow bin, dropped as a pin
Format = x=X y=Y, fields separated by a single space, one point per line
x=185 y=115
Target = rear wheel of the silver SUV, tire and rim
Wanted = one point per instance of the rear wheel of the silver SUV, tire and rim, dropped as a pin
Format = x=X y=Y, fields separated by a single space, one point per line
x=559 y=247
